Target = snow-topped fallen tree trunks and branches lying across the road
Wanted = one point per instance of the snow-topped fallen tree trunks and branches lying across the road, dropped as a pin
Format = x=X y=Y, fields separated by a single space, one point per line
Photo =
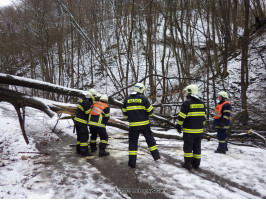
x=20 y=101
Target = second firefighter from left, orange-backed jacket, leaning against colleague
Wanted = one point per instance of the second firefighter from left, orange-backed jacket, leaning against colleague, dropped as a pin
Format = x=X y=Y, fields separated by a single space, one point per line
x=98 y=118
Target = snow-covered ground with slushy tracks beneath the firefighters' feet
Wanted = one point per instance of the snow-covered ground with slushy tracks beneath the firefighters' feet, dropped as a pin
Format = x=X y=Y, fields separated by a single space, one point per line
x=238 y=174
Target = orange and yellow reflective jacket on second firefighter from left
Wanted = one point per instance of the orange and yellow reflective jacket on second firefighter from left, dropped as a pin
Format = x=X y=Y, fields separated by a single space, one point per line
x=99 y=115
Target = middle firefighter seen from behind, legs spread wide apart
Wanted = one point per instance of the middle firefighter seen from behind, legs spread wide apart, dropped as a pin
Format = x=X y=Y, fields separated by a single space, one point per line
x=137 y=109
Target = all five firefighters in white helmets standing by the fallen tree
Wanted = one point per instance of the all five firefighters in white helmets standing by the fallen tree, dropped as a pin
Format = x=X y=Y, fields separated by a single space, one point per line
x=137 y=110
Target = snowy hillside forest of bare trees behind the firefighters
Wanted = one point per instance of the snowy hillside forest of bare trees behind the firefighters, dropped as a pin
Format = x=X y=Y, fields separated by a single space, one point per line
x=112 y=44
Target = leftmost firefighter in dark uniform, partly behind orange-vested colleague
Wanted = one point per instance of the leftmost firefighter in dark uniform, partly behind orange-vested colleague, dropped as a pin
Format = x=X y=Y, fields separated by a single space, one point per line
x=81 y=122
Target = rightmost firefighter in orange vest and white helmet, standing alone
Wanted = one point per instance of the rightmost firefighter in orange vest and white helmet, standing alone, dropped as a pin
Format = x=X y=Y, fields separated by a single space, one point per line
x=221 y=121
